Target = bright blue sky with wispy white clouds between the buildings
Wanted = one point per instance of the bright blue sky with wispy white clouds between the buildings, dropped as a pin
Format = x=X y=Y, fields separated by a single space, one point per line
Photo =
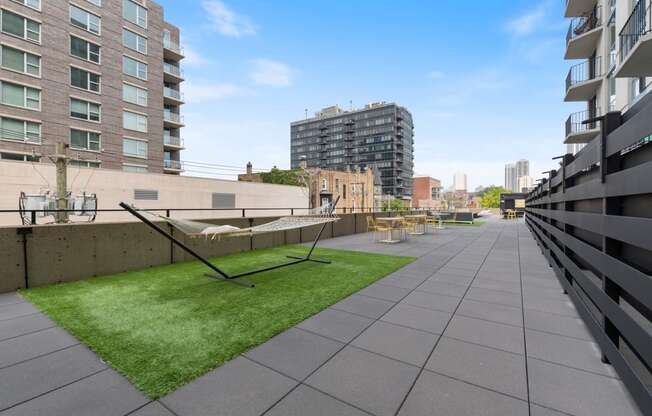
x=484 y=81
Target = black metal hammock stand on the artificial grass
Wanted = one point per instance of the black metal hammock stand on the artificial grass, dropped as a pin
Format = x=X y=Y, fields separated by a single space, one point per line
x=222 y=275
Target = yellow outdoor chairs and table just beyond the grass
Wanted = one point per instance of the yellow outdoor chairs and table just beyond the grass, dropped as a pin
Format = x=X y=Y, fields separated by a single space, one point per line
x=394 y=229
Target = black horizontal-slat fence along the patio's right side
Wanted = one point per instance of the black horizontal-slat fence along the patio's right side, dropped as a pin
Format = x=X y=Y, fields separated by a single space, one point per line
x=593 y=220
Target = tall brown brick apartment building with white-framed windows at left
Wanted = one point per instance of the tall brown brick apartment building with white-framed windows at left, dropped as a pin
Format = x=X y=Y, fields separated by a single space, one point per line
x=100 y=75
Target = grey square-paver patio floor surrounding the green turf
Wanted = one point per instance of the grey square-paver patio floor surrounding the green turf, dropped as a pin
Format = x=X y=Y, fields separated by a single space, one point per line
x=478 y=324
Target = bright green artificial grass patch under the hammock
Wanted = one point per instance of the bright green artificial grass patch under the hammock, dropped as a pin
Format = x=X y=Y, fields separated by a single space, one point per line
x=164 y=326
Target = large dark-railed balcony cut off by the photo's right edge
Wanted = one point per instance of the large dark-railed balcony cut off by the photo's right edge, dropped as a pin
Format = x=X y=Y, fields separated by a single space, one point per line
x=636 y=43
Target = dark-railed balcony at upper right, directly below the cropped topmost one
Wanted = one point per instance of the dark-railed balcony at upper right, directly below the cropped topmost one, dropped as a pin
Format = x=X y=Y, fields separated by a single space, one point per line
x=583 y=34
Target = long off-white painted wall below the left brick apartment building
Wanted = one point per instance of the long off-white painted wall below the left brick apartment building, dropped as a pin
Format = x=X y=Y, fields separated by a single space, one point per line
x=112 y=187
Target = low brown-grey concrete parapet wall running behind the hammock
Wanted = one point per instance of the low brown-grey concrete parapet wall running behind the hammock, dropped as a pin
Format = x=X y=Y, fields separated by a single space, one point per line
x=62 y=253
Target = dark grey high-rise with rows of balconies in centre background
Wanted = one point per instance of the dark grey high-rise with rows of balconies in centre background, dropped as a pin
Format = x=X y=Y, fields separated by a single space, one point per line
x=379 y=136
